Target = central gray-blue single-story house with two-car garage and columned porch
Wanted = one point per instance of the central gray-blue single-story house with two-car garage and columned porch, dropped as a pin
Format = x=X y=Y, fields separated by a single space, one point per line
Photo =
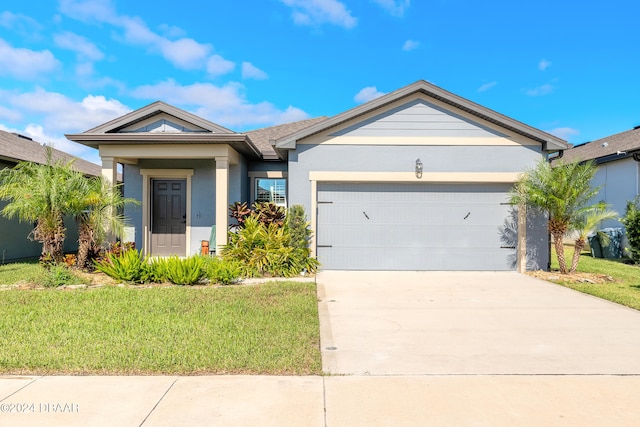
x=417 y=179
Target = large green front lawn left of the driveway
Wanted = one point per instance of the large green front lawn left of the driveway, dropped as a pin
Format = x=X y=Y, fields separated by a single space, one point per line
x=265 y=329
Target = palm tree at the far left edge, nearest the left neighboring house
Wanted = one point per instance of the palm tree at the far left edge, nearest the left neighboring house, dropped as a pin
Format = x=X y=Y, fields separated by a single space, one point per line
x=40 y=194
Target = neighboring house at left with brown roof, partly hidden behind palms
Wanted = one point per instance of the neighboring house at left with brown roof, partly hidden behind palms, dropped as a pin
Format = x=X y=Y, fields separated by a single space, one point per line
x=14 y=242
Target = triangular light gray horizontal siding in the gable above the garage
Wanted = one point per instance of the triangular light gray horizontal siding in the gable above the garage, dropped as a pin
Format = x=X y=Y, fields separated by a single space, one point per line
x=418 y=118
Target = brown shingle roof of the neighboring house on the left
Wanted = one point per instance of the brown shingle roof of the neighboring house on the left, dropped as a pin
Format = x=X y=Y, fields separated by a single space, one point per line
x=18 y=148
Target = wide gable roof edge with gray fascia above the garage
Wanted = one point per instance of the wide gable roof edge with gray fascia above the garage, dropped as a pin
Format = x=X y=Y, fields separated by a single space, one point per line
x=548 y=141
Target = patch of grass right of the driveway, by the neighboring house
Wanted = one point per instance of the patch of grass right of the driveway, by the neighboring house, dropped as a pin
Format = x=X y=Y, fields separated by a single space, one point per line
x=625 y=289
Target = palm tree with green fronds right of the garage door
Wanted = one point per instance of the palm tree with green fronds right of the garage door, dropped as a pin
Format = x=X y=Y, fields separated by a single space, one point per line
x=563 y=192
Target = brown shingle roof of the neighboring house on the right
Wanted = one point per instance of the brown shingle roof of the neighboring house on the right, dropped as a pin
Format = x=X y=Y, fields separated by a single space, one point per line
x=623 y=142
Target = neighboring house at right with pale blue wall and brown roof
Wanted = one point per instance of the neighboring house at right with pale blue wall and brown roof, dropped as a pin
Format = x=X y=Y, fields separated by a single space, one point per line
x=618 y=160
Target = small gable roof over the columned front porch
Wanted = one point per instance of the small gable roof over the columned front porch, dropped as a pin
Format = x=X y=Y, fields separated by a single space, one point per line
x=113 y=132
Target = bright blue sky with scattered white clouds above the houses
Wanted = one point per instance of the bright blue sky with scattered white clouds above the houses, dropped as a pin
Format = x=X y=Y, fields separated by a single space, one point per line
x=569 y=68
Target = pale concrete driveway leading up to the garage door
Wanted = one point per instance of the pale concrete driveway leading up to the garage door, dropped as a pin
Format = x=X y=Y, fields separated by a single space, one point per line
x=400 y=323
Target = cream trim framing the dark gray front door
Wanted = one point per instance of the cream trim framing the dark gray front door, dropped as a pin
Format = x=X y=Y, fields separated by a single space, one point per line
x=147 y=175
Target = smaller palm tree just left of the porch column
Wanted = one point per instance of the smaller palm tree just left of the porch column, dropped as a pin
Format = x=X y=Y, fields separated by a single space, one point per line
x=98 y=212
